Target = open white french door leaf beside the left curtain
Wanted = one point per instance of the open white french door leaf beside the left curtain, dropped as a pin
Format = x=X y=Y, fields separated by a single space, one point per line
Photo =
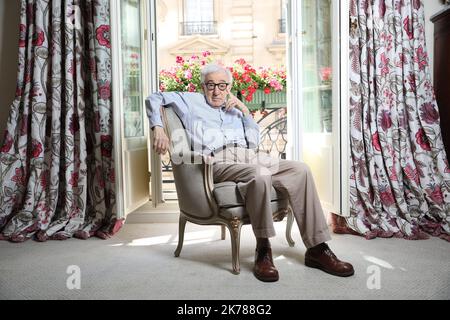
x=130 y=59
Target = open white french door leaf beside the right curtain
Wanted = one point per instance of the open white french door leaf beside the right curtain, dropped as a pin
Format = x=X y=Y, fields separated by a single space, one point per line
x=317 y=117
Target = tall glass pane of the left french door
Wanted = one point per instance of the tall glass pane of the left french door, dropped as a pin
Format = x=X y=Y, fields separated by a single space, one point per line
x=131 y=68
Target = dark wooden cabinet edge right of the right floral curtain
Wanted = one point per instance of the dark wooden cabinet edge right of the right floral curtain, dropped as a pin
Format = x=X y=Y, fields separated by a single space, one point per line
x=442 y=71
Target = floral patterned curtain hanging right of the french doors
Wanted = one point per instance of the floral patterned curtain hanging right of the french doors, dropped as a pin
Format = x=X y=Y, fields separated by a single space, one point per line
x=400 y=177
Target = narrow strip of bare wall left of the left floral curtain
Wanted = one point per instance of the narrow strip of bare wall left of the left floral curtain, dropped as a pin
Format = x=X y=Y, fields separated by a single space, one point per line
x=9 y=40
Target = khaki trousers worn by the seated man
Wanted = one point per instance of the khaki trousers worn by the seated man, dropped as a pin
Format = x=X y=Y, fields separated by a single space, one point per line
x=255 y=174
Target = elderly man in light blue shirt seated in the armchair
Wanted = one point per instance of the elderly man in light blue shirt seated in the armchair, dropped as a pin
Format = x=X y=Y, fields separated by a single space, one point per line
x=220 y=125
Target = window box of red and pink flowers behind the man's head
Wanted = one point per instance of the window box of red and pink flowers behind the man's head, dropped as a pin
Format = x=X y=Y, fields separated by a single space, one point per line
x=259 y=89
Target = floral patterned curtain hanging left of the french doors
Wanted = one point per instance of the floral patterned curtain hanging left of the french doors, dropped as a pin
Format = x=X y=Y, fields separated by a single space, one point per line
x=56 y=162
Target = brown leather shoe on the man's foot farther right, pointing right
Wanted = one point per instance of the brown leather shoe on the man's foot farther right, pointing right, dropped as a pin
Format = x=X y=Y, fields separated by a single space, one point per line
x=321 y=257
